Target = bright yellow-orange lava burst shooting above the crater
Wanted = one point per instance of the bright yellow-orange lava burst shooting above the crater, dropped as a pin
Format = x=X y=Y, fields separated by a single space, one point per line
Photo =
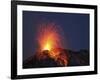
x=49 y=37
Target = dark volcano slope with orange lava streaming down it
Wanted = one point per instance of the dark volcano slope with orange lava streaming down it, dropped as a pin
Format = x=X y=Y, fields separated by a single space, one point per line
x=57 y=58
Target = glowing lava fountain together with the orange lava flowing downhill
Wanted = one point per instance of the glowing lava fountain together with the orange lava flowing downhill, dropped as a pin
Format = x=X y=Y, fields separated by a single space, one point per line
x=50 y=38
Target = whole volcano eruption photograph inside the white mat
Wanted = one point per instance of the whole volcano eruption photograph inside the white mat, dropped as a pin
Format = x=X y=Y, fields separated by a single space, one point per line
x=55 y=39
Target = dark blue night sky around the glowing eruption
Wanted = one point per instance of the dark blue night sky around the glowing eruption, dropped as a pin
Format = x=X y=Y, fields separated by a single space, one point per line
x=75 y=27
